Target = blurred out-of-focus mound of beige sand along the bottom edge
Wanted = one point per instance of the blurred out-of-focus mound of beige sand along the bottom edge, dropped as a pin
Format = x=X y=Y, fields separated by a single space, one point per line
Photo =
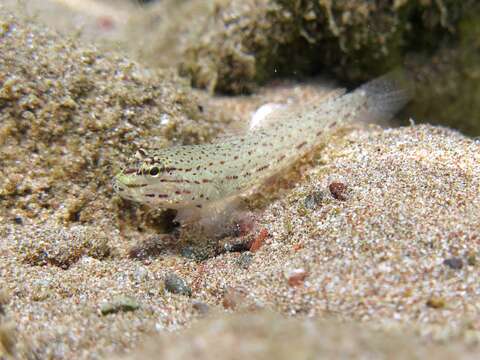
x=265 y=336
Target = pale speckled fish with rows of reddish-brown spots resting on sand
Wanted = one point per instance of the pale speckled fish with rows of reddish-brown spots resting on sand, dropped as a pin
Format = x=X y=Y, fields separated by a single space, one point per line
x=185 y=176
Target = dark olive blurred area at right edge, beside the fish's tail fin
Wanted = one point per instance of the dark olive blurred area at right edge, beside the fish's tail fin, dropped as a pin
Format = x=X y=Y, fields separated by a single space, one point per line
x=448 y=86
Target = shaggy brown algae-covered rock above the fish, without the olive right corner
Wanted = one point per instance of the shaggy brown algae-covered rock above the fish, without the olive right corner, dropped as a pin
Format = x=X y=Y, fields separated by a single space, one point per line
x=229 y=46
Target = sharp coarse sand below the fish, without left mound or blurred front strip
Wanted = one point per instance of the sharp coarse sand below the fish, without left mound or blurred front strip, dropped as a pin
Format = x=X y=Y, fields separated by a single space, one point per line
x=401 y=251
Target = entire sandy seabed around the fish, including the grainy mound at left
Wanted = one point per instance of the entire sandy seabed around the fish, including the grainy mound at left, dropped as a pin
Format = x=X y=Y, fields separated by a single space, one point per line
x=374 y=250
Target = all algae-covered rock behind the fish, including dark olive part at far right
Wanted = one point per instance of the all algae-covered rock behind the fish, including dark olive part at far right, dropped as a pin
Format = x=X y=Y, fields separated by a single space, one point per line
x=233 y=46
